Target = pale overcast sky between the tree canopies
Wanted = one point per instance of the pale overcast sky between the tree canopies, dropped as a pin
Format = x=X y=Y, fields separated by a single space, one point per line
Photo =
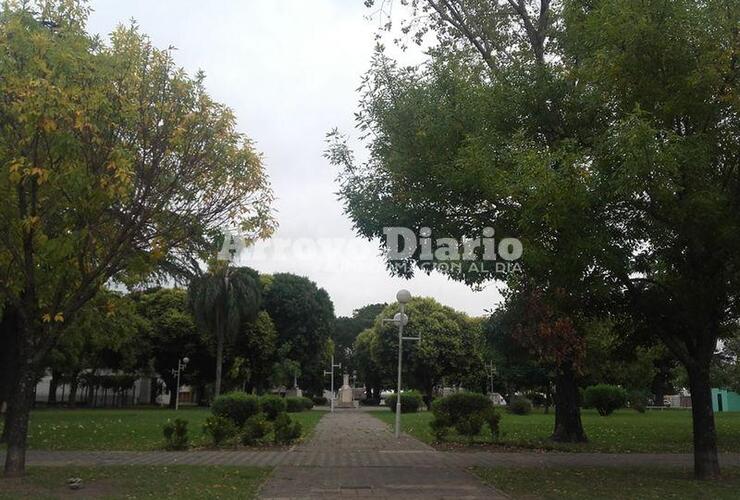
x=289 y=70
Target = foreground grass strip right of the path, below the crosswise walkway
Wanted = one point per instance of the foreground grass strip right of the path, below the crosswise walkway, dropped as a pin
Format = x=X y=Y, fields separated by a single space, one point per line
x=609 y=482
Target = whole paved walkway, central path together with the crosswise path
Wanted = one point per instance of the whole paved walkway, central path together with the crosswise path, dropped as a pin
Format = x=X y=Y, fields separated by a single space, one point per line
x=352 y=453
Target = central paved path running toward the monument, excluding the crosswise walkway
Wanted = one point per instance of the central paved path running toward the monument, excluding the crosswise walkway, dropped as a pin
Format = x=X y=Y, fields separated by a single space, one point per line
x=357 y=450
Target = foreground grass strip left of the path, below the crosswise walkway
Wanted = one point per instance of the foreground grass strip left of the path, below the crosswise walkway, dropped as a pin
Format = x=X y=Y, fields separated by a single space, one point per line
x=138 y=481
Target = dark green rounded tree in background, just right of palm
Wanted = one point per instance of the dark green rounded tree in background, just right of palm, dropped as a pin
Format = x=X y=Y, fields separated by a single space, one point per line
x=304 y=318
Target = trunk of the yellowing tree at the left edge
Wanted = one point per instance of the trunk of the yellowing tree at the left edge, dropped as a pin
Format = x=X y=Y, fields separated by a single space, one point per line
x=16 y=422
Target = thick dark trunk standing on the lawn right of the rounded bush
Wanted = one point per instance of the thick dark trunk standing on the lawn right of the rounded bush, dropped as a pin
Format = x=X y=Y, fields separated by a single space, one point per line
x=568 y=426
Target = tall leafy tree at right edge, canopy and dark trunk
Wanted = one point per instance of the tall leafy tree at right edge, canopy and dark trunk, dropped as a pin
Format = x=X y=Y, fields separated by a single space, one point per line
x=666 y=154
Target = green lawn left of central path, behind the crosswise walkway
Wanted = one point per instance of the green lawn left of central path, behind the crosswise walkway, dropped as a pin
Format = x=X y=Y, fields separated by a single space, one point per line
x=130 y=429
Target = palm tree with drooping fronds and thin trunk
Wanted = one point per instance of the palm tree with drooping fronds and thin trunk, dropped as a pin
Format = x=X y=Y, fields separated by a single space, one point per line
x=222 y=300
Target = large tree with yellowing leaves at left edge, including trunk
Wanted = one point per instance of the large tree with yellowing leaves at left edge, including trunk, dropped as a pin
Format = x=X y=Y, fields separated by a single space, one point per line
x=115 y=166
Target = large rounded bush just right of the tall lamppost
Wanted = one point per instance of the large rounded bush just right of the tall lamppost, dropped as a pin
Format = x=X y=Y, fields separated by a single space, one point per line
x=467 y=412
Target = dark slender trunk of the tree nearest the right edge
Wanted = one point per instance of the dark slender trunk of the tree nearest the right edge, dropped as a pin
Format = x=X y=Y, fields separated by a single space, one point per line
x=706 y=462
